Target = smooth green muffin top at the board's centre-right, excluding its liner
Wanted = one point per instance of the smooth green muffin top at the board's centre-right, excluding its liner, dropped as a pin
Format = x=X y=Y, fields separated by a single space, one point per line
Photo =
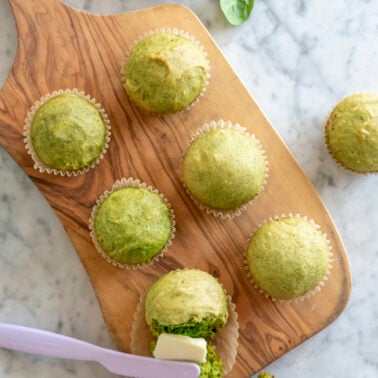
x=224 y=168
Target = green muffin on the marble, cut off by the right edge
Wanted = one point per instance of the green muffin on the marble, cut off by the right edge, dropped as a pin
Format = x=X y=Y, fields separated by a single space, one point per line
x=352 y=132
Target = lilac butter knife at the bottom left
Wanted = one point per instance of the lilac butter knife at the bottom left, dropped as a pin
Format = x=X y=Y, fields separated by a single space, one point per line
x=36 y=341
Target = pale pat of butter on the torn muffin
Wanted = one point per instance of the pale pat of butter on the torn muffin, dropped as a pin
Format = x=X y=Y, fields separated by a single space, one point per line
x=181 y=348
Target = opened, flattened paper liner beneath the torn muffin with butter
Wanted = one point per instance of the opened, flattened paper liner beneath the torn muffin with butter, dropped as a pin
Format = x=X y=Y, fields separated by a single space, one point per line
x=225 y=342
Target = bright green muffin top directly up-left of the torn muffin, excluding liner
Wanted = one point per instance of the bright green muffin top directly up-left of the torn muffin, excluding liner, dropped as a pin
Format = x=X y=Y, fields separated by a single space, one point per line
x=132 y=225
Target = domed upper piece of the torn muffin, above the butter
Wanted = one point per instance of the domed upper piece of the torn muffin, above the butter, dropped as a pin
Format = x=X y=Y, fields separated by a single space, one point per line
x=186 y=302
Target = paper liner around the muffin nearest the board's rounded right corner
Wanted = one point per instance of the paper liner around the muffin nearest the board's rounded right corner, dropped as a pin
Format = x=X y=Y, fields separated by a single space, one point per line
x=311 y=292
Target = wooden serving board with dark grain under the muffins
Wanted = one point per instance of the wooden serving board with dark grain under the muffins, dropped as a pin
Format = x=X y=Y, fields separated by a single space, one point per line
x=60 y=47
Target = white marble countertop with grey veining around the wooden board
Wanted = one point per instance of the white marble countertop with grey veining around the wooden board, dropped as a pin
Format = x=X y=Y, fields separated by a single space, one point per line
x=297 y=58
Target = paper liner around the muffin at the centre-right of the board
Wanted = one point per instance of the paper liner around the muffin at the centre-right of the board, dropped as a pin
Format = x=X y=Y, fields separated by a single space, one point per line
x=225 y=213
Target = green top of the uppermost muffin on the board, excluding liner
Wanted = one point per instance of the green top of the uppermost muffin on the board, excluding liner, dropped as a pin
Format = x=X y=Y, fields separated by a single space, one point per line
x=165 y=73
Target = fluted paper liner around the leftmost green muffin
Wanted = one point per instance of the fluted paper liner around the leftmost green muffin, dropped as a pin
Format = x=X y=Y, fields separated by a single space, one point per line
x=38 y=164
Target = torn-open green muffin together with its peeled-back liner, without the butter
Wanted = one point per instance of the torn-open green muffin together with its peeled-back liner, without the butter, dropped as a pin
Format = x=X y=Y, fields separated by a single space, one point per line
x=189 y=302
